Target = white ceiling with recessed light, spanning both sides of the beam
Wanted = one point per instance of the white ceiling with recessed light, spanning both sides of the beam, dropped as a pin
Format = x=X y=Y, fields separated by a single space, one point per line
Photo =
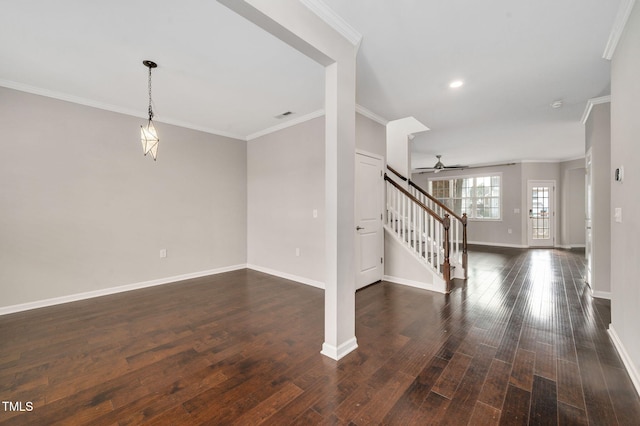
x=217 y=72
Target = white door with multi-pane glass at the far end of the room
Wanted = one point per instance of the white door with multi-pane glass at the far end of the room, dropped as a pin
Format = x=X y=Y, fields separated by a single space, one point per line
x=541 y=204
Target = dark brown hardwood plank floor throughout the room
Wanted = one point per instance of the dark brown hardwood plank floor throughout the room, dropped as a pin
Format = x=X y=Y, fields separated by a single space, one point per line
x=521 y=342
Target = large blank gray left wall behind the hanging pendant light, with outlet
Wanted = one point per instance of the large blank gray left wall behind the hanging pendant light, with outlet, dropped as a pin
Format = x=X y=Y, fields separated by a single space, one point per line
x=82 y=210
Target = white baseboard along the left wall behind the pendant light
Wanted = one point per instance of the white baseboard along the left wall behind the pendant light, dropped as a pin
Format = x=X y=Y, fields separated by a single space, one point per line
x=5 y=310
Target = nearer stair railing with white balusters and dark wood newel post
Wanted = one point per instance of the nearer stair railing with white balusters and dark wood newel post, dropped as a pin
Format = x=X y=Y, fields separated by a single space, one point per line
x=420 y=228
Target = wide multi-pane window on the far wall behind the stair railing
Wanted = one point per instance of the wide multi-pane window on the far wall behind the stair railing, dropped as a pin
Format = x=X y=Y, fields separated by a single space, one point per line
x=477 y=196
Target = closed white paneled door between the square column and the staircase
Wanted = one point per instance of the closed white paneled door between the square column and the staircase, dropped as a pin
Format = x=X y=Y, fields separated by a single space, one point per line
x=369 y=208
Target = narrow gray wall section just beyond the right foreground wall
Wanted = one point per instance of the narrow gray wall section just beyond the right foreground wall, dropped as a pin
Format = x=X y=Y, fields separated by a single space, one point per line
x=598 y=138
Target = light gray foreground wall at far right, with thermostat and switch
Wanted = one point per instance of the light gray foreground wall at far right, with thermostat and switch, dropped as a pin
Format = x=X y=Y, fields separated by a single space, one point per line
x=625 y=150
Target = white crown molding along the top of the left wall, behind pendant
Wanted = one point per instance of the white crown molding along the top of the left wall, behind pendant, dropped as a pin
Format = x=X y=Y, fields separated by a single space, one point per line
x=112 y=108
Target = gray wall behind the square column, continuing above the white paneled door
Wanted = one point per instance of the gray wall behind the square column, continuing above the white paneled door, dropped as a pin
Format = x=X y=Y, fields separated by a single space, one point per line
x=285 y=178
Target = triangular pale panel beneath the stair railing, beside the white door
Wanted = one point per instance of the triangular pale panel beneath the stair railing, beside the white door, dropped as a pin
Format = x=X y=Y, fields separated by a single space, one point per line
x=404 y=266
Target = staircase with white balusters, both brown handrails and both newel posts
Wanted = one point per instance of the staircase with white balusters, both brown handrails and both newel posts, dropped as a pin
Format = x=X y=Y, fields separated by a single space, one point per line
x=433 y=234
